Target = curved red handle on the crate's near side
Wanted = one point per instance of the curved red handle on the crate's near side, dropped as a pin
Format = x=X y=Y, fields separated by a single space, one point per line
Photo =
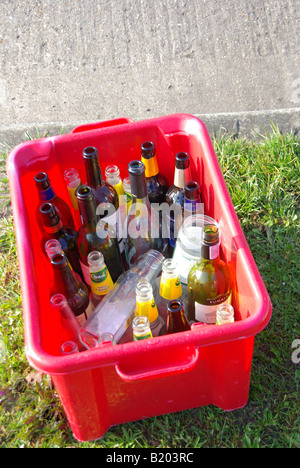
x=186 y=365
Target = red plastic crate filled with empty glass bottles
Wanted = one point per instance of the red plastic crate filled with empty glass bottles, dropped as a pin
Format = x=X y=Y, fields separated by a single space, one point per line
x=111 y=385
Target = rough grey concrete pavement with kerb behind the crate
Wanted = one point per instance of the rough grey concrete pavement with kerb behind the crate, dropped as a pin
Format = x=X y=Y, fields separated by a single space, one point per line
x=235 y=64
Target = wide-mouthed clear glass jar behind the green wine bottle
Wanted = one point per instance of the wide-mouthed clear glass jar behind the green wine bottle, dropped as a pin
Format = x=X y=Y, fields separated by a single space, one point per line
x=188 y=246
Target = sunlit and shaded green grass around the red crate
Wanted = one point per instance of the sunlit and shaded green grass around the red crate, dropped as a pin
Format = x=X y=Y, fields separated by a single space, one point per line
x=263 y=179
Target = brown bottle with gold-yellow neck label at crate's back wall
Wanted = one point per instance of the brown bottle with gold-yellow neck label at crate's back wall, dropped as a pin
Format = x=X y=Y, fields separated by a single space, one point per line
x=157 y=184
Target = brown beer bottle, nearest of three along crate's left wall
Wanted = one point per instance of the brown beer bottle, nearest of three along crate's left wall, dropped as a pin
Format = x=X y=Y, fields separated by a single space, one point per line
x=75 y=292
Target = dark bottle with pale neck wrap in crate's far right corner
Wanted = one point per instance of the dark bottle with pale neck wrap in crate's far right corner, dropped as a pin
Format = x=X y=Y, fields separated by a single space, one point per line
x=175 y=194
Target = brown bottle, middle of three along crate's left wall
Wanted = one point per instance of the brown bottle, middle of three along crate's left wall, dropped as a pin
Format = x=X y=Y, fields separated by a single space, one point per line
x=53 y=228
